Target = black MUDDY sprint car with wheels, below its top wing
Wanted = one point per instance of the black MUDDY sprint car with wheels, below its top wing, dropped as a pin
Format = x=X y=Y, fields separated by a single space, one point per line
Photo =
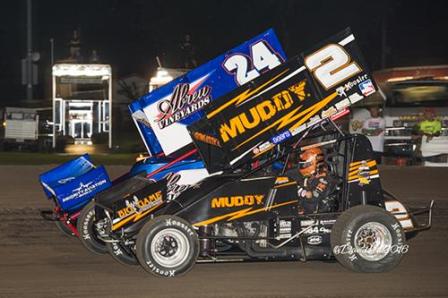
x=255 y=216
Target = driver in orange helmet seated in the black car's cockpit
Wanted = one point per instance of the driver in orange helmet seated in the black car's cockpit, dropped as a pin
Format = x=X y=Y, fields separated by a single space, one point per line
x=316 y=183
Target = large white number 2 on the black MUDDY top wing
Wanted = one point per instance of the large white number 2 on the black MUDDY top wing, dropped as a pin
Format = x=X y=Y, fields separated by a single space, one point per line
x=331 y=65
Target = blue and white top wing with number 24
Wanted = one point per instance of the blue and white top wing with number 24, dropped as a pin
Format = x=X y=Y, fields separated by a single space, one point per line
x=162 y=115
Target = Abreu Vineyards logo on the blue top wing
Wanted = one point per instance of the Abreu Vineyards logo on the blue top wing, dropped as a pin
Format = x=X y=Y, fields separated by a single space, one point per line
x=185 y=100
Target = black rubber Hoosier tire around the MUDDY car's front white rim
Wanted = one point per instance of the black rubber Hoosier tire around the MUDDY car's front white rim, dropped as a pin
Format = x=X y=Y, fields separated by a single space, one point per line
x=146 y=236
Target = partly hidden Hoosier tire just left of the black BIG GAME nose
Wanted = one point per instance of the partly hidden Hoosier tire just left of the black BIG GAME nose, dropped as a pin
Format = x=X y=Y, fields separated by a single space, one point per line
x=87 y=233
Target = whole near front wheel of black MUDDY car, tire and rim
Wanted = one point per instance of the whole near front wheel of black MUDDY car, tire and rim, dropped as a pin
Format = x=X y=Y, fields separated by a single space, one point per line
x=167 y=246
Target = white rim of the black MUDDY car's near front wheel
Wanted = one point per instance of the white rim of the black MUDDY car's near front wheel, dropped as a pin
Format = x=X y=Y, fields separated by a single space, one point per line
x=170 y=248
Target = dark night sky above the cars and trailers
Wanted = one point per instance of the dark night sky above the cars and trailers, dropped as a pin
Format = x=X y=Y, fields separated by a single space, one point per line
x=129 y=34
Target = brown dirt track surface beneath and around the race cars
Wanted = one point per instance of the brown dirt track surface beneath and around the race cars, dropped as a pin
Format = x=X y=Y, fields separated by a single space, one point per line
x=37 y=261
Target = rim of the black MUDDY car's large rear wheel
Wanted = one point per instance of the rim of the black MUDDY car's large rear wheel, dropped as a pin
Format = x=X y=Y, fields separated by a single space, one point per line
x=373 y=241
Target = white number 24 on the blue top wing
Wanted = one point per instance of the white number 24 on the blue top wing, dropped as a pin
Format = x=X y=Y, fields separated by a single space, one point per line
x=262 y=57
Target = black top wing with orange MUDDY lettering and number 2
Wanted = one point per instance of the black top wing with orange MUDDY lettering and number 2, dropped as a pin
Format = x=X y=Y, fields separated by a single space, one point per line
x=282 y=103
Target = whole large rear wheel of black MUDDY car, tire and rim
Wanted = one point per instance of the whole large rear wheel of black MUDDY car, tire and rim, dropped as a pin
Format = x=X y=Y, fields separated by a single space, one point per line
x=368 y=239
